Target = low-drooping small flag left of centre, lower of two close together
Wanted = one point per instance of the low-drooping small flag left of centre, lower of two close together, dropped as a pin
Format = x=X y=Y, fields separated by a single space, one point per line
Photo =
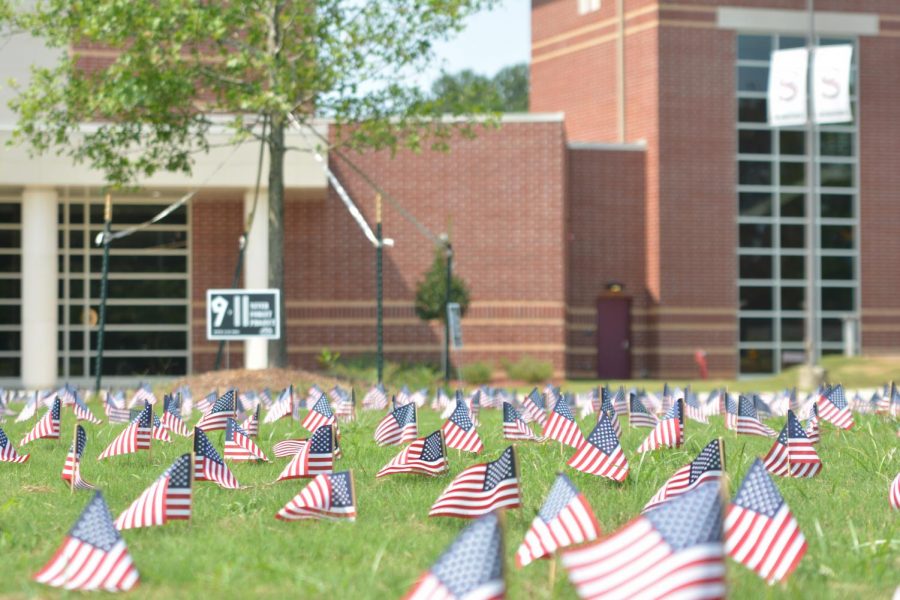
x=328 y=496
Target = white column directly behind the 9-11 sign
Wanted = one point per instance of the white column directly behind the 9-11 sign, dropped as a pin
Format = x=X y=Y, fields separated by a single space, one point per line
x=256 y=269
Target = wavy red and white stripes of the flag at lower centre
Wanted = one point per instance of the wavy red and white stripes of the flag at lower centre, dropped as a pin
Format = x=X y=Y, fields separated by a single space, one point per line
x=466 y=497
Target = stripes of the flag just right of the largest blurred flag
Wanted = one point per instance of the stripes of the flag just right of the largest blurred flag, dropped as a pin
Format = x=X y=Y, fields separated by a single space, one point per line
x=771 y=547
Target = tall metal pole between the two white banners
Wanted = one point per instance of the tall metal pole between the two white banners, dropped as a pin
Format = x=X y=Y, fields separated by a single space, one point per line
x=812 y=201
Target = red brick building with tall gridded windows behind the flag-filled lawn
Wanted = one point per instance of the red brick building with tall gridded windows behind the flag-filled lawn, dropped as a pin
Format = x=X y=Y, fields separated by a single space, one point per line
x=641 y=211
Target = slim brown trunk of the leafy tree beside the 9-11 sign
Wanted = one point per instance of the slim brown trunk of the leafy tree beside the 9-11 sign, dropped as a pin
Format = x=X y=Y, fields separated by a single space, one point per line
x=278 y=355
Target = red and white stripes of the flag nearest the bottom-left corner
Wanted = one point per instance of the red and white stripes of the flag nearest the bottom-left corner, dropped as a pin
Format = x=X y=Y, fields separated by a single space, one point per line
x=80 y=566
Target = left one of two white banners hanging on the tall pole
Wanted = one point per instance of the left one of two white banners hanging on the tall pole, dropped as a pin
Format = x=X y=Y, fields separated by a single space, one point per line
x=787 y=87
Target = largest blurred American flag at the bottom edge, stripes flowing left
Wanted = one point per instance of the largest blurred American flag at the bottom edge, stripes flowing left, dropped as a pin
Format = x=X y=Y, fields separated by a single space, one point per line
x=675 y=551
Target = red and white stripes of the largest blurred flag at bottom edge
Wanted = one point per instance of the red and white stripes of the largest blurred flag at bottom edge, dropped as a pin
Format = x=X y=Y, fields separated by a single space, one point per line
x=637 y=562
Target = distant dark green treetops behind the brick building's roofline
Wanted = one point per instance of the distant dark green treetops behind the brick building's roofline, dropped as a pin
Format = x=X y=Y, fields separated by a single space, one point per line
x=507 y=91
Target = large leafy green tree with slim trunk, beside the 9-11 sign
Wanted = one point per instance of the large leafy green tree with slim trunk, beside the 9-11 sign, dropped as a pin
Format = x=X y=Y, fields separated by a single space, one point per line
x=180 y=69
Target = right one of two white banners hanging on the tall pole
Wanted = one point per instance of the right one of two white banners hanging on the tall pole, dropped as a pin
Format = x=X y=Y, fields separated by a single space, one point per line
x=831 y=84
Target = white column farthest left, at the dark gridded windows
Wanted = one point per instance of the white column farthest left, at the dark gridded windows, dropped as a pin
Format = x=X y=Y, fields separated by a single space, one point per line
x=39 y=287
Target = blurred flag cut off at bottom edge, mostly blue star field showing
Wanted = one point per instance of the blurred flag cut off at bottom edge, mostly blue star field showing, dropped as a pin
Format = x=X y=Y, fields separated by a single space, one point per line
x=471 y=567
